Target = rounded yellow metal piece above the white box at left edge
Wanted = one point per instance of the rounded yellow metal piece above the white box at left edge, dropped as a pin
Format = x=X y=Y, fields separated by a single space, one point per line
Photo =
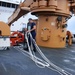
x=5 y=29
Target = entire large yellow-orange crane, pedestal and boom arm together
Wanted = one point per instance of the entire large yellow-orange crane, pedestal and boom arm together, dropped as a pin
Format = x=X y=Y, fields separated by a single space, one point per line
x=52 y=17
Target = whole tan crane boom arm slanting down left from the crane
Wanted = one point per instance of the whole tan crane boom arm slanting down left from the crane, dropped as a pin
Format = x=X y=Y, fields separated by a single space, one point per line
x=22 y=9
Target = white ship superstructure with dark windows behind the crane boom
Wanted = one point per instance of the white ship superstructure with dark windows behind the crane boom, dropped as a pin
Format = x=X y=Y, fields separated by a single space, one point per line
x=7 y=7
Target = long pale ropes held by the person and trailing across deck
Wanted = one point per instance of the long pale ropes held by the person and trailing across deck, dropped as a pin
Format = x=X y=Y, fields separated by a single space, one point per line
x=42 y=63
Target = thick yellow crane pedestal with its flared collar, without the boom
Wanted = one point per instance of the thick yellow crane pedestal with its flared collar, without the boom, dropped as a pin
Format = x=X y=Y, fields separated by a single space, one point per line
x=50 y=32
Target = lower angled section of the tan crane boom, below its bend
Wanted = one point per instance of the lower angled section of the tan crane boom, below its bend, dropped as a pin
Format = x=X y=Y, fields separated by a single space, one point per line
x=17 y=14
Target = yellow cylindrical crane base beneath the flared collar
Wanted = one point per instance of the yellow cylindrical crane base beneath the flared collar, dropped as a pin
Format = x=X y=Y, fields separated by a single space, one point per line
x=48 y=35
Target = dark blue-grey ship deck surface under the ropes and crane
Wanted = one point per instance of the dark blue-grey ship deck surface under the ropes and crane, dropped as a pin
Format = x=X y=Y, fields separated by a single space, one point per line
x=13 y=62
